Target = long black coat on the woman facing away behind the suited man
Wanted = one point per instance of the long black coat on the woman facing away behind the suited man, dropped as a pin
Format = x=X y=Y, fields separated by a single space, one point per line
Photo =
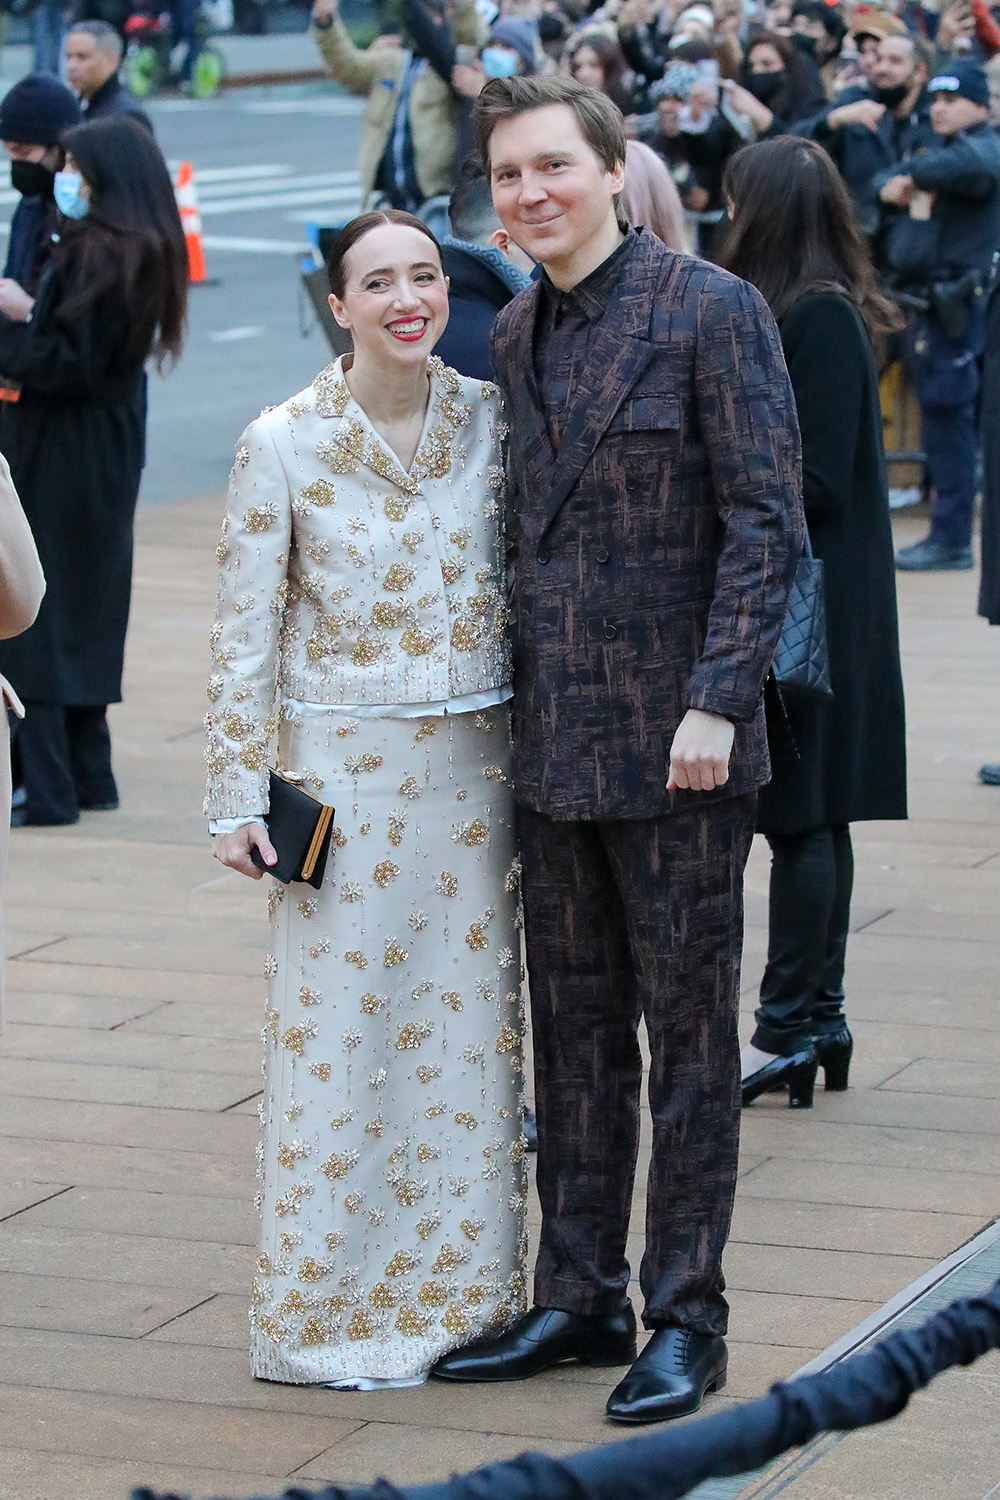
x=851 y=763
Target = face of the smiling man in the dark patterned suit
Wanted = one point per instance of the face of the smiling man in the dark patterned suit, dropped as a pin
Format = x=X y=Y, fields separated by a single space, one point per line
x=551 y=190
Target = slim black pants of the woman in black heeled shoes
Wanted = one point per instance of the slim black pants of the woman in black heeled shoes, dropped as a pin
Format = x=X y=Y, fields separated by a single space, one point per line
x=803 y=989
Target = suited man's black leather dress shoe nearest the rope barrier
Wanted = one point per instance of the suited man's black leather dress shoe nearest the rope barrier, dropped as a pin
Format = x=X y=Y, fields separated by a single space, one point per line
x=671 y=1376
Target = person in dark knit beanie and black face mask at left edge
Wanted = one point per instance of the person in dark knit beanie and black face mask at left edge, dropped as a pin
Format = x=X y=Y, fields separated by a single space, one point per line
x=34 y=116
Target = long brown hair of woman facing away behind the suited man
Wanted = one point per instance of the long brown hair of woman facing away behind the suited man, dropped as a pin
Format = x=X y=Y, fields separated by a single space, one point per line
x=794 y=230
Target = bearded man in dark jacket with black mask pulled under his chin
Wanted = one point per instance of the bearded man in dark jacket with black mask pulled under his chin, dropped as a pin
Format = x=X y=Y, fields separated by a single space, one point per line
x=870 y=128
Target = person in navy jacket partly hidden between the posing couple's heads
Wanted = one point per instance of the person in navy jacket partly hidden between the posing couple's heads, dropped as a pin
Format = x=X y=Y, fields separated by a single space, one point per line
x=485 y=271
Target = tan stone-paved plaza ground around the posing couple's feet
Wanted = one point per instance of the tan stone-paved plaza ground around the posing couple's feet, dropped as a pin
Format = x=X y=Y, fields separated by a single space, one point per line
x=131 y=1064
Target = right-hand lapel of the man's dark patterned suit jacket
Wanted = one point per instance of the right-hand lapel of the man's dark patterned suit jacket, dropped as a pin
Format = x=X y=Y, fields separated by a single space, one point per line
x=618 y=356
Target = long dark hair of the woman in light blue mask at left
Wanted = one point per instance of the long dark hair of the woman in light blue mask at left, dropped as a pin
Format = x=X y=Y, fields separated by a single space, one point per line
x=131 y=242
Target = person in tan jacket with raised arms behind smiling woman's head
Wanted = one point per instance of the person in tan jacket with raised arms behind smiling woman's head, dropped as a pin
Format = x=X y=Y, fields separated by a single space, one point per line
x=410 y=131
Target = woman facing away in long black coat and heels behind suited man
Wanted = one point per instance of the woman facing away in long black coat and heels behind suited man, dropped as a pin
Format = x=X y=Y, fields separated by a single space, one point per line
x=795 y=238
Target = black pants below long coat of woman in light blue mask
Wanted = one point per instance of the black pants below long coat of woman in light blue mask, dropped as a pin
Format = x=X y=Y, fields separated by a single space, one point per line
x=62 y=757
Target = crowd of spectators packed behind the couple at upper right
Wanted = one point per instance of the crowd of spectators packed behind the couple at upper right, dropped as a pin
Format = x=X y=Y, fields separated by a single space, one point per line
x=905 y=97
